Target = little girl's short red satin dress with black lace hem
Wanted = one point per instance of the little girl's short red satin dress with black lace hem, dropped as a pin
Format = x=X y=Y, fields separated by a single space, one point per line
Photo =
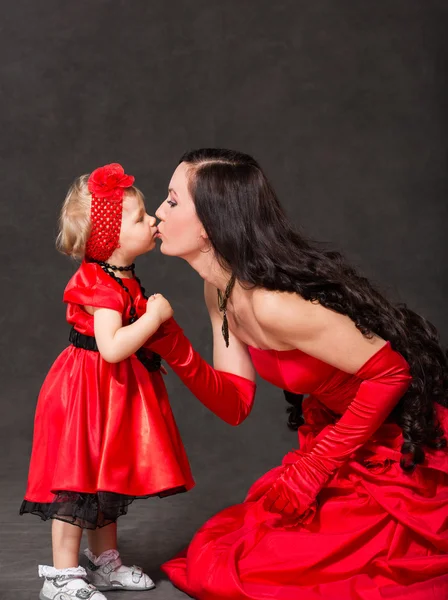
x=104 y=434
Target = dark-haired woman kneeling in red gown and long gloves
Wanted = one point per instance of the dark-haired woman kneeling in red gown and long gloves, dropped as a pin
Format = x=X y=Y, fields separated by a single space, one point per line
x=359 y=511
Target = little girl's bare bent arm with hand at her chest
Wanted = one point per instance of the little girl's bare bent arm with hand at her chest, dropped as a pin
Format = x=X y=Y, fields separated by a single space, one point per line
x=115 y=342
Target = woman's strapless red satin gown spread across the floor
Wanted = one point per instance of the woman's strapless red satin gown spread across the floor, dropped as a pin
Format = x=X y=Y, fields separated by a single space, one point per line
x=375 y=533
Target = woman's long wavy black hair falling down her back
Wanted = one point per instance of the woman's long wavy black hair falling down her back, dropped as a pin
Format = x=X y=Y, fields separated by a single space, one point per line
x=252 y=237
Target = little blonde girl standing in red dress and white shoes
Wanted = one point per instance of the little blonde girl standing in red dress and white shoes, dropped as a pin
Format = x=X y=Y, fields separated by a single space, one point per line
x=104 y=432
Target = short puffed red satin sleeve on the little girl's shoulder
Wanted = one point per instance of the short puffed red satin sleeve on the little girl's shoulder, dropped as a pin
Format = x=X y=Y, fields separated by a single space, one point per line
x=90 y=286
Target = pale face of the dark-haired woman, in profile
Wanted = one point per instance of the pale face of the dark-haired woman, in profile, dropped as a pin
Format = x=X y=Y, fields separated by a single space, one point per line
x=180 y=230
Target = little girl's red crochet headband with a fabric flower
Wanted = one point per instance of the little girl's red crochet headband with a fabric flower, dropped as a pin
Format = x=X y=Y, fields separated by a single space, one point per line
x=106 y=185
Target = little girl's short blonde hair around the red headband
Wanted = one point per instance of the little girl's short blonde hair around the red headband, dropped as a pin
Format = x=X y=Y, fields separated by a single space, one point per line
x=74 y=221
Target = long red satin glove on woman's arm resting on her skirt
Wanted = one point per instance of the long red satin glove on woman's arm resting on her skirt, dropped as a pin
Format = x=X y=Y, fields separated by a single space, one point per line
x=385 y=380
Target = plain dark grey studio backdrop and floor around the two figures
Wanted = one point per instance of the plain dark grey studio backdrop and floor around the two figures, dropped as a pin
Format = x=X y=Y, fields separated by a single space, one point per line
x=342 y=102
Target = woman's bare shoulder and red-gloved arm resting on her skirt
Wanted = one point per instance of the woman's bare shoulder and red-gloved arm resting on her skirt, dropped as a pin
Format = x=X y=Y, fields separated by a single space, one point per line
x=384 y=376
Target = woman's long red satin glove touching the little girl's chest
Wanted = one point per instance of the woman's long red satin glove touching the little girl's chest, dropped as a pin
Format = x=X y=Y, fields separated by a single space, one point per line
x=228 y=396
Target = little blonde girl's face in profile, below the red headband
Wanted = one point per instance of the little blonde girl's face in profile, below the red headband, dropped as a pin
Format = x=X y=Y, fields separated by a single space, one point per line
x=137 y=227
